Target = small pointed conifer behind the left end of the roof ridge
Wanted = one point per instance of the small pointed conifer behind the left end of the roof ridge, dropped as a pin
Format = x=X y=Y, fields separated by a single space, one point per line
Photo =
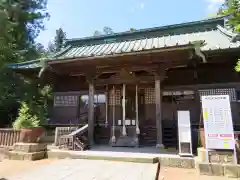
x=58 y=41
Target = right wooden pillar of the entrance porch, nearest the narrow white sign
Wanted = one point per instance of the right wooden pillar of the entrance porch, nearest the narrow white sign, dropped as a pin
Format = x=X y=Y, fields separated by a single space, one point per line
x=158 y=97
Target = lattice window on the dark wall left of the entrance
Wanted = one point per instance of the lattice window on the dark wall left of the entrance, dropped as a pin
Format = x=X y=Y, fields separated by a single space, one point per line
x=65 y=100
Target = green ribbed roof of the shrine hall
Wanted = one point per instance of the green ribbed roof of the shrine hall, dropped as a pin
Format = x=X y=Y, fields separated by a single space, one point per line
x=212 y=32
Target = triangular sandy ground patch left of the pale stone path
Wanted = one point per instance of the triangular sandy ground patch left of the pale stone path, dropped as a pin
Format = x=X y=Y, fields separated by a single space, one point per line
x=10 y=167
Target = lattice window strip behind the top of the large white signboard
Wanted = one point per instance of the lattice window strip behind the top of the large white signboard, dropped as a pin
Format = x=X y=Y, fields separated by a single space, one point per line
x=225 y=91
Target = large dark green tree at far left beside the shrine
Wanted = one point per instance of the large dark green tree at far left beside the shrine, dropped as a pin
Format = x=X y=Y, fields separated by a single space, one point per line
x=21 y=21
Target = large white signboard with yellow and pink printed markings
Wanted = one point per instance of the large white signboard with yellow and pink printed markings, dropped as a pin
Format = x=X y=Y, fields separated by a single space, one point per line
x=218 y=124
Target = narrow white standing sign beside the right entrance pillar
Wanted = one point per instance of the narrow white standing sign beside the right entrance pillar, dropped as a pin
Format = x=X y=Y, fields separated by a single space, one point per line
x=184 y=133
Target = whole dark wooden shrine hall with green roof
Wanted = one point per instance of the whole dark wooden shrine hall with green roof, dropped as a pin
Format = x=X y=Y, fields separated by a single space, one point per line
x=129 y=86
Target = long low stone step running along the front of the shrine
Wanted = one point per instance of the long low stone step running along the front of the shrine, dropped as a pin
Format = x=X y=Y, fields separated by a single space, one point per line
x=165 y=160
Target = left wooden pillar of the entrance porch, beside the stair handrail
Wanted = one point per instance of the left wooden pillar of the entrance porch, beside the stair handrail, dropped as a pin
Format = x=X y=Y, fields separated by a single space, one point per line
x=91 y=113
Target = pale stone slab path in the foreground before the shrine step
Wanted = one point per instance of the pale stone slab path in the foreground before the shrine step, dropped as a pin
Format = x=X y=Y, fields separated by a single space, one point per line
x=79 y=169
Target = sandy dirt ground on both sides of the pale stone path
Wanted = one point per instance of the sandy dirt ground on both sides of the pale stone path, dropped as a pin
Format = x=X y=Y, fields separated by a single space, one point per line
x=8 y=168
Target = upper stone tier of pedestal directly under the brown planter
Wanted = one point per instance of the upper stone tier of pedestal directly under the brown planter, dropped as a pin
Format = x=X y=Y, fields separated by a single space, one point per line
x=29 y=147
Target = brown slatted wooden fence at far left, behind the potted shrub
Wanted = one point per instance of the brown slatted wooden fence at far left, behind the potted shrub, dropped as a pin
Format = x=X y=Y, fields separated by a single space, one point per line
x=8 y=137
